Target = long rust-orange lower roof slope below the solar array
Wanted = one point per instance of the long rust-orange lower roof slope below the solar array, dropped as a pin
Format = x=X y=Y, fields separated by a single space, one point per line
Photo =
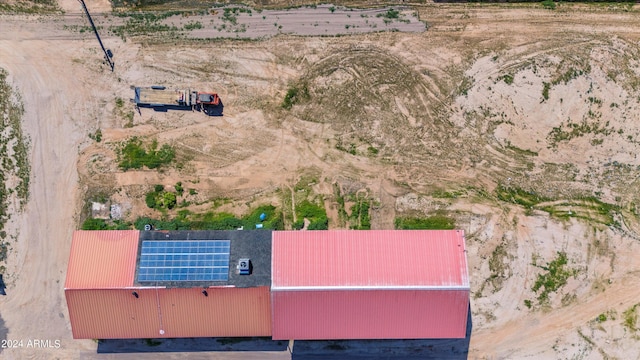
x=179 y=312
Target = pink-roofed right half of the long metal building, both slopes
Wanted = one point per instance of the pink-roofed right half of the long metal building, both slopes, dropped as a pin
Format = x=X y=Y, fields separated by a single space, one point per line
x=382 y=284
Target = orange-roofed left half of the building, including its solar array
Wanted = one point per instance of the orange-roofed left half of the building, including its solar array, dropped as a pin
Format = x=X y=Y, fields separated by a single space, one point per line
x=131 y=284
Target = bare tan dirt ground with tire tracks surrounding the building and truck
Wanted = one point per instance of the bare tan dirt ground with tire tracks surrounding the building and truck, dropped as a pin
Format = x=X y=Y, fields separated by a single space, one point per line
x=421 y=122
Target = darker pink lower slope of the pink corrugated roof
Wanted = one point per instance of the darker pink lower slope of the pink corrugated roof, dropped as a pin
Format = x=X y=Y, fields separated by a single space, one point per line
x=369 y=314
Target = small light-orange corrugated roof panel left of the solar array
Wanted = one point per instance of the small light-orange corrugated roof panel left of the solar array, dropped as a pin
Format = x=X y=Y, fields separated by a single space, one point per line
x=102 y=259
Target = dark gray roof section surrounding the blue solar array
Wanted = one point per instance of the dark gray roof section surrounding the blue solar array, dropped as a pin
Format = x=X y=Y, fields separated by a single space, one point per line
x=245 y=244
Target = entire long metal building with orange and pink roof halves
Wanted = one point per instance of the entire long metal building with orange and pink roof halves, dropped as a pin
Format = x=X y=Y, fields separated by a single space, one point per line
x=302 y=285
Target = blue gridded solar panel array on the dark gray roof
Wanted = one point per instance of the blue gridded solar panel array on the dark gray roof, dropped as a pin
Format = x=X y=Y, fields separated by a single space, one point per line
x=189 y=260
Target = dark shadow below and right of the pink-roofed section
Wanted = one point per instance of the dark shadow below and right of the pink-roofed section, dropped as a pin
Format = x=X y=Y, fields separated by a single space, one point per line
x=413 y=349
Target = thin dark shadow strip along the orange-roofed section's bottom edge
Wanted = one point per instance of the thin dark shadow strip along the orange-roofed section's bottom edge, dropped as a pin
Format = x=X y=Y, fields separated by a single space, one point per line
x=190 y=345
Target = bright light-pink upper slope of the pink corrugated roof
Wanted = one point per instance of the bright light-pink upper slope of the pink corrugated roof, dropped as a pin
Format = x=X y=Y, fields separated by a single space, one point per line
x=348 y=258
